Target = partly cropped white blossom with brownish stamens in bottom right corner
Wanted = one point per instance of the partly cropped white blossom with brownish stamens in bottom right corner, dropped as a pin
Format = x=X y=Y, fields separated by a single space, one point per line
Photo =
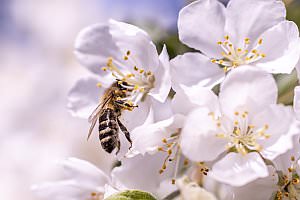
x=283 y=180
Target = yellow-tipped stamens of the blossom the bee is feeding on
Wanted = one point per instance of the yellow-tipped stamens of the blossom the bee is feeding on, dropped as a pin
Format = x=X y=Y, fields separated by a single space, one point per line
x=138 y=81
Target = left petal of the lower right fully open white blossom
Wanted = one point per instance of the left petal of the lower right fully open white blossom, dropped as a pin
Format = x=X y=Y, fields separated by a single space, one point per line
x=198 y=138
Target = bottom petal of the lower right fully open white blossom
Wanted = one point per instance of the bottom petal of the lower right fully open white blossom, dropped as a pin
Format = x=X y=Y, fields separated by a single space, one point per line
x=237 y=170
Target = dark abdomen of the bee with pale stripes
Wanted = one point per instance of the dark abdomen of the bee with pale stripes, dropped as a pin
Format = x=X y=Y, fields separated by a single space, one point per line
x=108 y=130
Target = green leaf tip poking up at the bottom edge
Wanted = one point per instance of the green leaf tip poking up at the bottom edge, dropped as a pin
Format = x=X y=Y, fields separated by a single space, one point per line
x=131 y=195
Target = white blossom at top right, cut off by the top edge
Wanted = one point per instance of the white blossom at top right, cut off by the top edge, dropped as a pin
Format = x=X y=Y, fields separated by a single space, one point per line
x=242 y=33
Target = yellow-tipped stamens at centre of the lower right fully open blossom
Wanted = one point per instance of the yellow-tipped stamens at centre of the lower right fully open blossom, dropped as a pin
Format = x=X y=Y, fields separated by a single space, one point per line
x=242 y=136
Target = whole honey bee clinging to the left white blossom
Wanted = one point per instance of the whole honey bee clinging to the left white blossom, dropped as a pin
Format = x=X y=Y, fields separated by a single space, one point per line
x=108 y=112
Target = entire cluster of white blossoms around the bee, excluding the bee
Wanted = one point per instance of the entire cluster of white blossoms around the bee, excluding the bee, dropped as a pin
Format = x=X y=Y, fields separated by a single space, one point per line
x=203 y=125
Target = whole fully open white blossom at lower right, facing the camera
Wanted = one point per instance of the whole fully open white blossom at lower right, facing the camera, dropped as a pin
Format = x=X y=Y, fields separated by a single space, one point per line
x=239 y=127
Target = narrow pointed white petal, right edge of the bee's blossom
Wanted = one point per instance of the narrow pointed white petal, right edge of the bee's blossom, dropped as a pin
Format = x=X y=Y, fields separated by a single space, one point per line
x=162 y=78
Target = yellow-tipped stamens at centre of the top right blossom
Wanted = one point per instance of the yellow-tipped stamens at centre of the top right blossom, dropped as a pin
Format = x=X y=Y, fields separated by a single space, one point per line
x=236 y=56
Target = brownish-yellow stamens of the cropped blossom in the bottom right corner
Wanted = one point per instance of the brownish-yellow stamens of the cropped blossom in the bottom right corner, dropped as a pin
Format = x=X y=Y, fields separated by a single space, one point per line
x=289 y=184
